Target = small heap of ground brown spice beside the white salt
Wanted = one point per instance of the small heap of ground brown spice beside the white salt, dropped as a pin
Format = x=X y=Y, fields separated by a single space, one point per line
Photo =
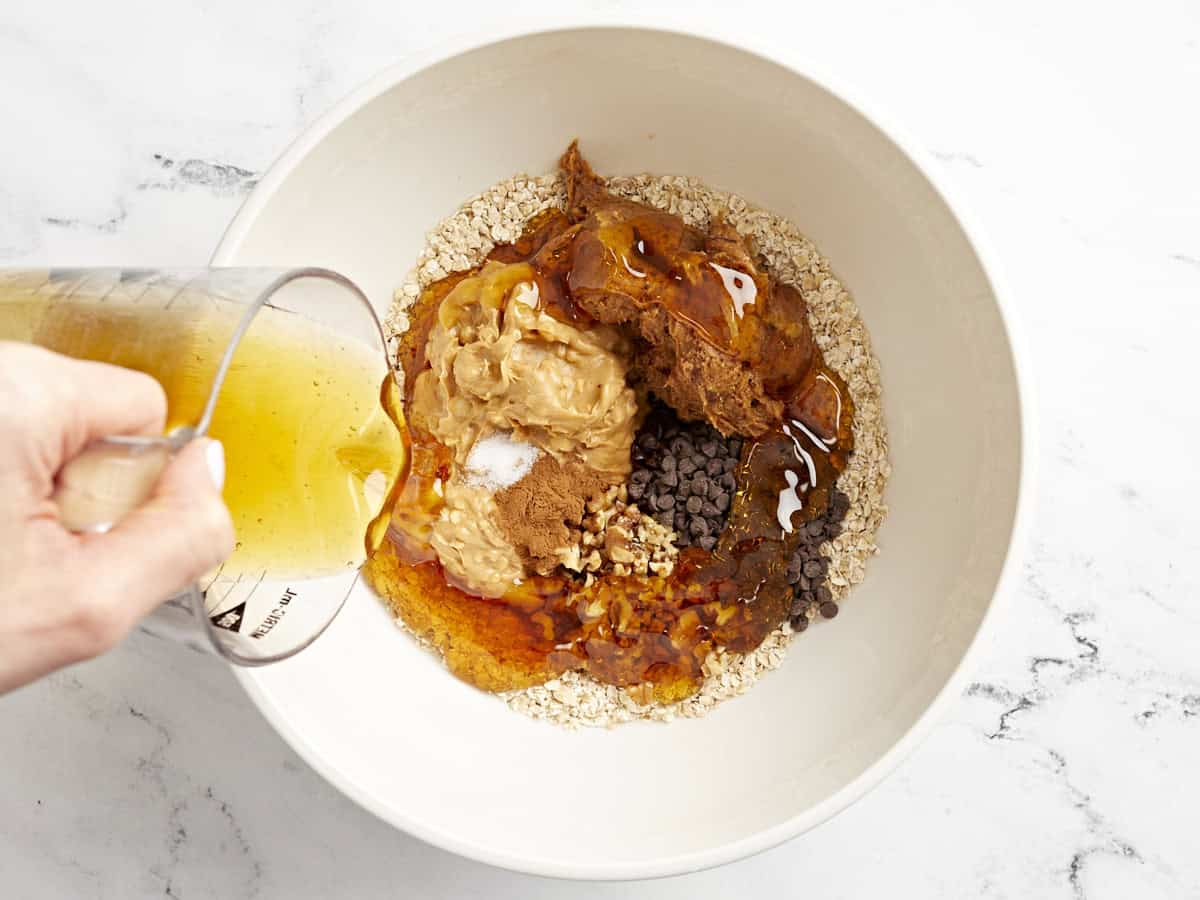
x=543 y=513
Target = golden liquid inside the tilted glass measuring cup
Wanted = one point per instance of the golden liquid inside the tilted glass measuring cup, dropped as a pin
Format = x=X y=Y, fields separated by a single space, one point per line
x=313 y=446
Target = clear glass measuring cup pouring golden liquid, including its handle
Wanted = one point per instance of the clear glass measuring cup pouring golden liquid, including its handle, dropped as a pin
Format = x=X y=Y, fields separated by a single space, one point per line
x=287 y=368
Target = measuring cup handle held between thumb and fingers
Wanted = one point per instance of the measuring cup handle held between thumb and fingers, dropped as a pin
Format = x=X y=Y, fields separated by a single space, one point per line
x=110 y=479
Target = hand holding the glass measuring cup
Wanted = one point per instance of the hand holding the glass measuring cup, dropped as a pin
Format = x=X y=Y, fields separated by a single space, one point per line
x=69 y=597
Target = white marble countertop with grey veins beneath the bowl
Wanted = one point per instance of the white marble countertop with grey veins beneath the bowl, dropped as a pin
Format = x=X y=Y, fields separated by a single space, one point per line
x=131 y=131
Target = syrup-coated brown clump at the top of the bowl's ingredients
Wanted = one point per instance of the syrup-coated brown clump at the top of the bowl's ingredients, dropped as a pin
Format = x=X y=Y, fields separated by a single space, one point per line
x=721 y=341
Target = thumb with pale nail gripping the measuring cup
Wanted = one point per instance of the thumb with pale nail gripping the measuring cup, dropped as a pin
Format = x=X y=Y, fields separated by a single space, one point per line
x=177 y=536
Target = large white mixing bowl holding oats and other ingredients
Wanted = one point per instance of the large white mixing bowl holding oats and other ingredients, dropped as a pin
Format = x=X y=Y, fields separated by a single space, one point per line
x=391 y=728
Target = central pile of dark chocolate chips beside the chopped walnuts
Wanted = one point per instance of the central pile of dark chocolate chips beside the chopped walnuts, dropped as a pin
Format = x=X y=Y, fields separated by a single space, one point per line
x=685 y=477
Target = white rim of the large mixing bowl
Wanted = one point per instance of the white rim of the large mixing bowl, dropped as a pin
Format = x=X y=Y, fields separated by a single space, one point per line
x=778 y=53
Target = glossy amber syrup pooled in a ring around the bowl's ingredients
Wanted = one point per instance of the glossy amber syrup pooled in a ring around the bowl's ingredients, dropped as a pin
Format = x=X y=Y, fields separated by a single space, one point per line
x=625 y=631
